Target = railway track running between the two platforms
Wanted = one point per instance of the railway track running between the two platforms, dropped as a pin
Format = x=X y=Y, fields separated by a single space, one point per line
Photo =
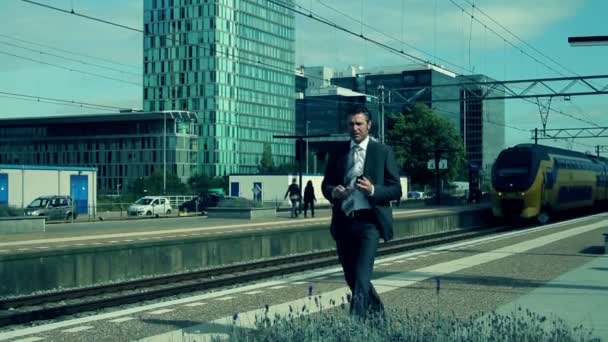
x=26 y=309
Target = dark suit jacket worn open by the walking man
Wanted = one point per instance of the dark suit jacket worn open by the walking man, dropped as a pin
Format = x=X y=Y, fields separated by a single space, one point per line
x=381 y=169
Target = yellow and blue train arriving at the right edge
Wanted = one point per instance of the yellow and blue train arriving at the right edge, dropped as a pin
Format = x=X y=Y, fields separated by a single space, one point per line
x=531 y=181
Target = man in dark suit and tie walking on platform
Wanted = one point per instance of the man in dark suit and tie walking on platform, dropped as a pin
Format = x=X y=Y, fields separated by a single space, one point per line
x=361 y=179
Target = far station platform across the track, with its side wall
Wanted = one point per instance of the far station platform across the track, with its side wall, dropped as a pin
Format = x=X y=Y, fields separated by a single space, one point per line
x=86 y=255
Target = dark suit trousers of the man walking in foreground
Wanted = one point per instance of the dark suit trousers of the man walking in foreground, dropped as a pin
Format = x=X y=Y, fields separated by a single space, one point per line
x=357 y=244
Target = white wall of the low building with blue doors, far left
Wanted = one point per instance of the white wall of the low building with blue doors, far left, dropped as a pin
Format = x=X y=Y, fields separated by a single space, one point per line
x=26 y=184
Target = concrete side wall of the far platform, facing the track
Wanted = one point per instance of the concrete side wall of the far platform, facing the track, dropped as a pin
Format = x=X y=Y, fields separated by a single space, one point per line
x=28 y=272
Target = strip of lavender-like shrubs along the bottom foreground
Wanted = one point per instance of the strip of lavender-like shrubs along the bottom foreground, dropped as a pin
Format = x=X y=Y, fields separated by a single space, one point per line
x=337 y=326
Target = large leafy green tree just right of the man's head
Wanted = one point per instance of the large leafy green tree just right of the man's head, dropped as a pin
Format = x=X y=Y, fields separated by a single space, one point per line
x=415 y=137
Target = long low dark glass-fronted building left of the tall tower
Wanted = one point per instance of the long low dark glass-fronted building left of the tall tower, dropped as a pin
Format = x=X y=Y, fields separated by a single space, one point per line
x=123 y=147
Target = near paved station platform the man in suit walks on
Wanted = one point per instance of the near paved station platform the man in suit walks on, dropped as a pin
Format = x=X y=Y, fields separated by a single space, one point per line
x=555 y=270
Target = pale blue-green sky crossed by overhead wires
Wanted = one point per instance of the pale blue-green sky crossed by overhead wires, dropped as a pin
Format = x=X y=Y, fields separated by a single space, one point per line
x=439 y=31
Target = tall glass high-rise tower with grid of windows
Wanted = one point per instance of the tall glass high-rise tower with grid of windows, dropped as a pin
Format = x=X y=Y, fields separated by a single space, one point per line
x=233 y=62
